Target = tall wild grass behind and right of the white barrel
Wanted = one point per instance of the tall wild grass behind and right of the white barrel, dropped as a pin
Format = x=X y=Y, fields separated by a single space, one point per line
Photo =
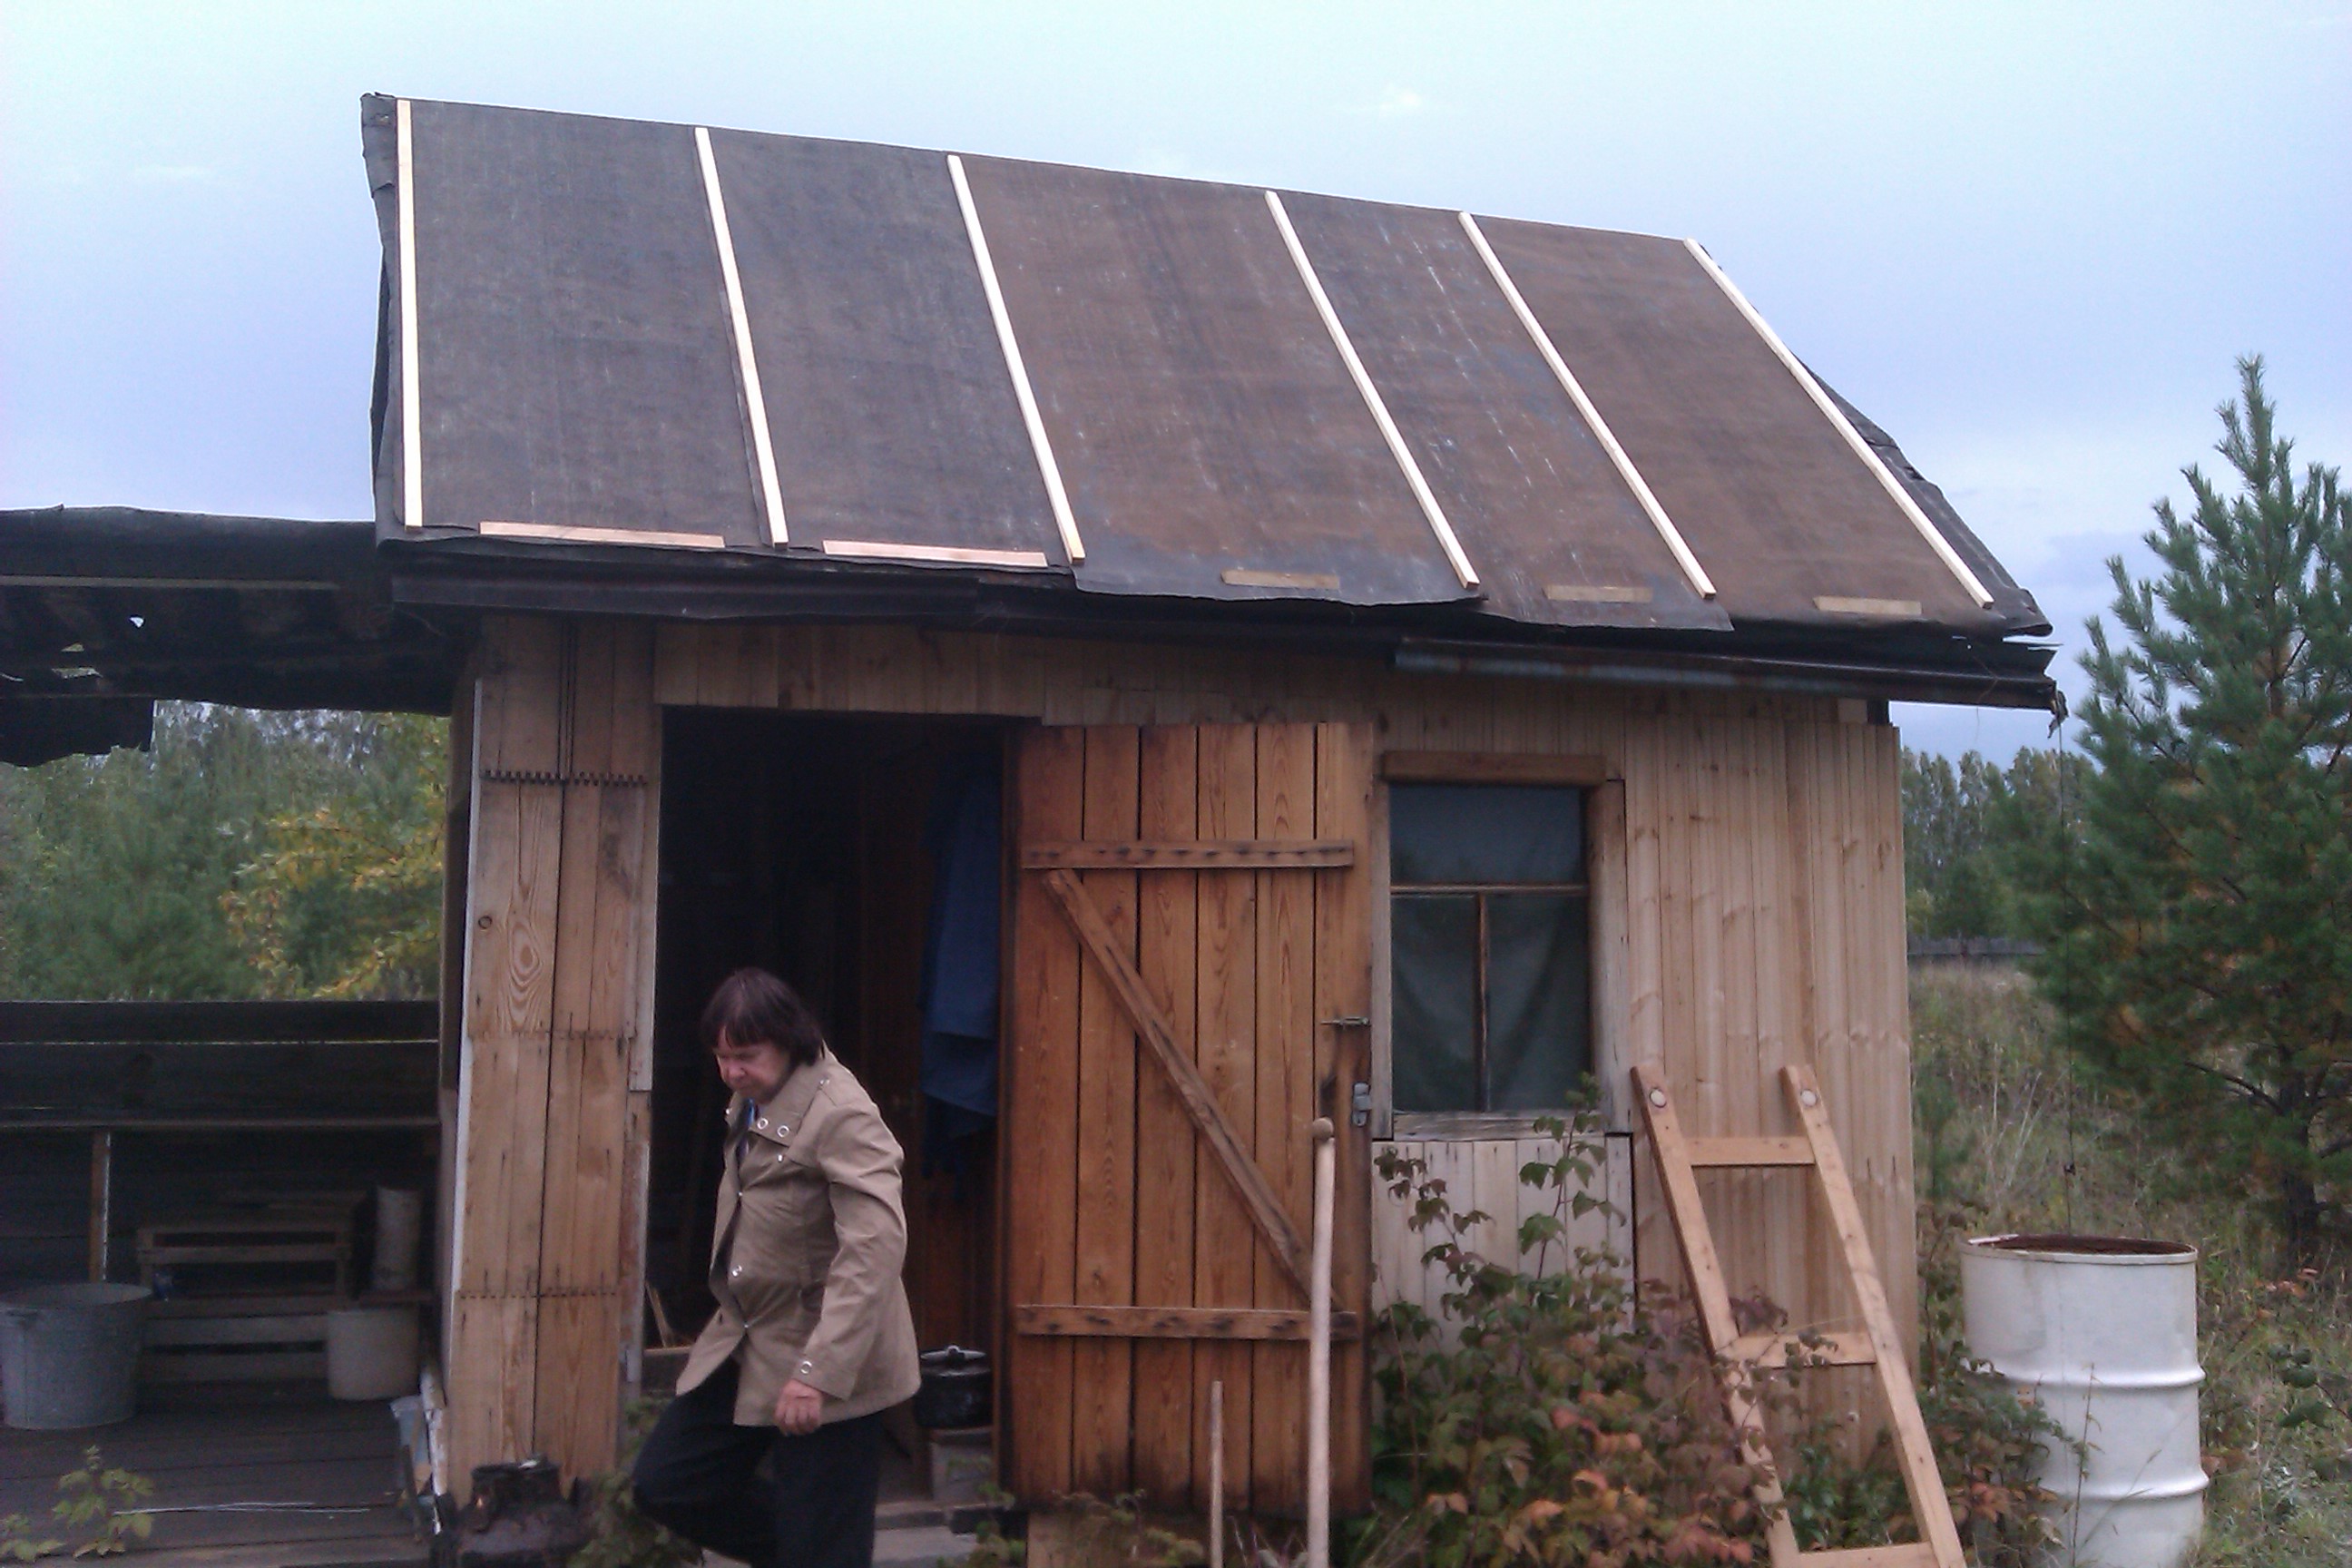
x=2010 y=1132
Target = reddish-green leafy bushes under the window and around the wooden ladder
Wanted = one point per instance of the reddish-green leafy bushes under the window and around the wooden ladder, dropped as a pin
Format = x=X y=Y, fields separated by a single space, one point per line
x=1565 y=1426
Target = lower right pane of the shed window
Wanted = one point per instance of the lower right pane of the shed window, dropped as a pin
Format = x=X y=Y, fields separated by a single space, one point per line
x=1539 y=1024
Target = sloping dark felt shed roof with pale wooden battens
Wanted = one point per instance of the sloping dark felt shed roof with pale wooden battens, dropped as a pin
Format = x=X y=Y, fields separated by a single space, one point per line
x=775 y=361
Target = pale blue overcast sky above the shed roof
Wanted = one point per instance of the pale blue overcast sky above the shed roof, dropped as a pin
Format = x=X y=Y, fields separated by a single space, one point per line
x=2026 y=239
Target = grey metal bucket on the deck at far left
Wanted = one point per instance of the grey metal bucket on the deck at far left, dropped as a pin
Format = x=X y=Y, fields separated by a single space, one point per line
x=69 y=1355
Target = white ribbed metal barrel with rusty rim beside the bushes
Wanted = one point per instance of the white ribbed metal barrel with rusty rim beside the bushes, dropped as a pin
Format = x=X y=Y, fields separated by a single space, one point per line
x=2104 y=1334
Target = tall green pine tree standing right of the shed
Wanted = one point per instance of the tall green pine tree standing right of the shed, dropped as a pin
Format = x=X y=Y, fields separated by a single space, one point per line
x=2198 y=927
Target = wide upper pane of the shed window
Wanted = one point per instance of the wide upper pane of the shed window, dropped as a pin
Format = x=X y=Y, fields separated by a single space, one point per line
x=1485 y=833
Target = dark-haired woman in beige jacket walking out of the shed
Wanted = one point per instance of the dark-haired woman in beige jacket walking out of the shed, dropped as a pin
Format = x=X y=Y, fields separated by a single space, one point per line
x=813 y=1339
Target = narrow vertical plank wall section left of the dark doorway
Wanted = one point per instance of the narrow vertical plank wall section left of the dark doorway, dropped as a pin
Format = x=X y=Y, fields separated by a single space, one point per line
x=554 y=1061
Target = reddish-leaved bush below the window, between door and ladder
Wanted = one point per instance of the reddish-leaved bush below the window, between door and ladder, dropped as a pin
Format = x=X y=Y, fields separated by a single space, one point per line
x=1563 y=1428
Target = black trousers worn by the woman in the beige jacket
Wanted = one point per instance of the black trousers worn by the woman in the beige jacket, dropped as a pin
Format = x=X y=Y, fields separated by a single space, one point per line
x=695 y=1475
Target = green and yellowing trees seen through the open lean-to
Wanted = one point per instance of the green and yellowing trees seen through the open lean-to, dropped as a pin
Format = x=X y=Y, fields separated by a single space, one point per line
x=248 y=855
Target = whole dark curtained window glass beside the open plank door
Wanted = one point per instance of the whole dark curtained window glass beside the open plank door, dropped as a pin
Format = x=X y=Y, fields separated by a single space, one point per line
x=1490 y=946
